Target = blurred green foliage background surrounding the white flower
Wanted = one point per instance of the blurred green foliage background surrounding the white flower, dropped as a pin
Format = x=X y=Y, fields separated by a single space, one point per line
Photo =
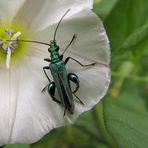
x=121 y=118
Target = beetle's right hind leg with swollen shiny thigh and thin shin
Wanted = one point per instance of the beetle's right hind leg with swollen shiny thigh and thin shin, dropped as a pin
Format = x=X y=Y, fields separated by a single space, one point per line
x=74 y=78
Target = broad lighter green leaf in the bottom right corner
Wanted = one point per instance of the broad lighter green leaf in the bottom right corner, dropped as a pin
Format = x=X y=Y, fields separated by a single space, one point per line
x=126 y=118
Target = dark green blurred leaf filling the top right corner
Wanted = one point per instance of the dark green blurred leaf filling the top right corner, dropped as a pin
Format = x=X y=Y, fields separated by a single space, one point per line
x=127 y=17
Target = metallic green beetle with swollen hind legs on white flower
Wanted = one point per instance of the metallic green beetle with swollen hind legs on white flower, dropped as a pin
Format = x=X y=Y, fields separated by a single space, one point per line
x=61 y=79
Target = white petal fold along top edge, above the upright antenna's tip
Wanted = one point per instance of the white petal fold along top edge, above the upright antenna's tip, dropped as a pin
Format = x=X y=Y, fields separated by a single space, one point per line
x=39 y=14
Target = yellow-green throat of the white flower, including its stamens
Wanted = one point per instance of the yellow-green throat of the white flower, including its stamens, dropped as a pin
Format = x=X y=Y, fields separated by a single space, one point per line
x=13 y=52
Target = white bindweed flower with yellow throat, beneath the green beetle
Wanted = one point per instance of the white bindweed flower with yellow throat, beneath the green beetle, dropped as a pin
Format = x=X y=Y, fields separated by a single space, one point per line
x=27 y=114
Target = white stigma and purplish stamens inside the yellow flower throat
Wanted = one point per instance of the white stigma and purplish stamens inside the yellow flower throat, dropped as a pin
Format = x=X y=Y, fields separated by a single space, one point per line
x=11 y=46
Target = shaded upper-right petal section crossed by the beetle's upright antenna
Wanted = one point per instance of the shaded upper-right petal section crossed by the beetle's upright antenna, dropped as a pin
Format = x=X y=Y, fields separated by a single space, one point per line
x=91 y=39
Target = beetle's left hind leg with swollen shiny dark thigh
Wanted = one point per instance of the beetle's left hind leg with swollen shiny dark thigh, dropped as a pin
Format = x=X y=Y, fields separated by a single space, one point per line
x=51 y=91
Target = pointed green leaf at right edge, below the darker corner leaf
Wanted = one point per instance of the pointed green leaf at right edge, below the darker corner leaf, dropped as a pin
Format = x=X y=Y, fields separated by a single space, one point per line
x=133 y=48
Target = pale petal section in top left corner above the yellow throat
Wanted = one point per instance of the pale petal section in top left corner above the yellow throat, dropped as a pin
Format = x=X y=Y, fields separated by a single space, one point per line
x=9 y=8
